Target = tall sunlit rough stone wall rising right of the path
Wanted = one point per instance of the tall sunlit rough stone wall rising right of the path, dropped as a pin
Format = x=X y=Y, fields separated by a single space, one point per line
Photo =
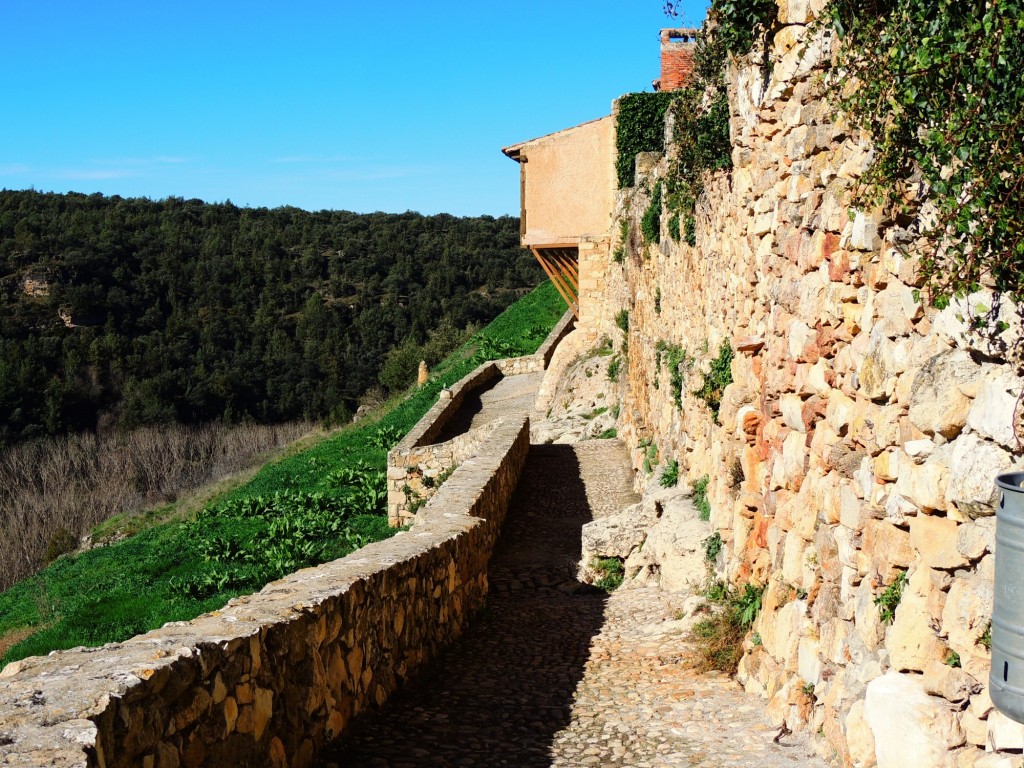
x=859 y=441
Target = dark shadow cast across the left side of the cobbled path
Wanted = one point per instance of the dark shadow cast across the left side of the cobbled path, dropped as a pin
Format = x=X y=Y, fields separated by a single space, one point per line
x=499 y=696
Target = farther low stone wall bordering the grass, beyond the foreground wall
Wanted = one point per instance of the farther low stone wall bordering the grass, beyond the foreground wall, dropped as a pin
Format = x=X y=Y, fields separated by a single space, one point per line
x=417 y=465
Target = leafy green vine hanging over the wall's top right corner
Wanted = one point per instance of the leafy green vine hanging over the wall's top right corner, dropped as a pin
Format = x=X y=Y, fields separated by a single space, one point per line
x=937 y=86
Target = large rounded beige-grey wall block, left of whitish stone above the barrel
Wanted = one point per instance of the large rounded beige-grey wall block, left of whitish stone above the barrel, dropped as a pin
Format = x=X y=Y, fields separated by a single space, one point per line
x=937 y=404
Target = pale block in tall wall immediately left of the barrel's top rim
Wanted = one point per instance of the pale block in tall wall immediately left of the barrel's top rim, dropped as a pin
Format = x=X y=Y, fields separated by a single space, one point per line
x=973 y=467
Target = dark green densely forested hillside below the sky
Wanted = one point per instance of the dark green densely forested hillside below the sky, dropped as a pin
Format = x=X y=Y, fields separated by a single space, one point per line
x=127 y=312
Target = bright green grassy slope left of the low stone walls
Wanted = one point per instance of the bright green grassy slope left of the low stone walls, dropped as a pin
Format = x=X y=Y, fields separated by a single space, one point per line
x=309 y=508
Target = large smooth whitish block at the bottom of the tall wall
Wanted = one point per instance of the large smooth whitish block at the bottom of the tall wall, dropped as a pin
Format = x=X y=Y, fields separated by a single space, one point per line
x=911 y=729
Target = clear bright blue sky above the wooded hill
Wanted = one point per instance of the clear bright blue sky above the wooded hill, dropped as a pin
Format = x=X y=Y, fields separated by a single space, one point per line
x=363 y=106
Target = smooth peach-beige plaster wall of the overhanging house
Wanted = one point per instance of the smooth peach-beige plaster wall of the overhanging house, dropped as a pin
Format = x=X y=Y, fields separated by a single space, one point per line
x=569 y=184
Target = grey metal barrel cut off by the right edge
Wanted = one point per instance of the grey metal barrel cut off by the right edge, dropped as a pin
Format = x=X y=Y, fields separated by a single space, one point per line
x=1006 y=678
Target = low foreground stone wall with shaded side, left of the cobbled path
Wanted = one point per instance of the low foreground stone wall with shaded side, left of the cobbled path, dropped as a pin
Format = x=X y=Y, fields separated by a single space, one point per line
x=273 y=676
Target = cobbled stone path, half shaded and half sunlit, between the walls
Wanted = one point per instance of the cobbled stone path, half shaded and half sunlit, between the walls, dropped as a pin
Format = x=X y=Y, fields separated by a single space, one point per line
x=557 y=673
